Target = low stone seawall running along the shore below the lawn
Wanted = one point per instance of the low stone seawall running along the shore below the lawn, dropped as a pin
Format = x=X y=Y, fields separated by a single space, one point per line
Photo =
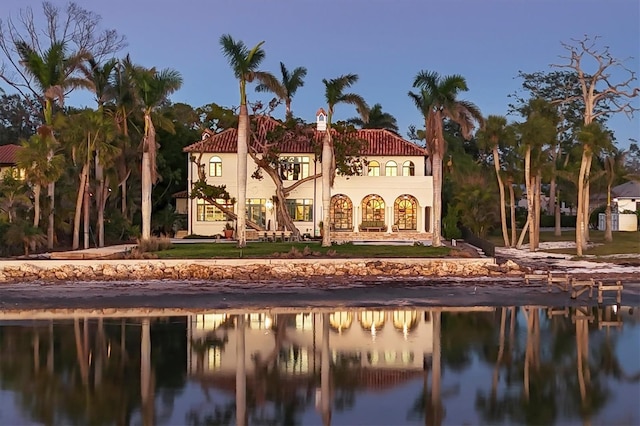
x=246 y=269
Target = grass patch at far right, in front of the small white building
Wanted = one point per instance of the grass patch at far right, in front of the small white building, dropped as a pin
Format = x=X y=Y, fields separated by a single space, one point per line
x=623 y=243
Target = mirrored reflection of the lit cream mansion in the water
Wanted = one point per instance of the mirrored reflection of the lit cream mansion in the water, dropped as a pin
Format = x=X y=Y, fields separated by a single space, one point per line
x=380 y=347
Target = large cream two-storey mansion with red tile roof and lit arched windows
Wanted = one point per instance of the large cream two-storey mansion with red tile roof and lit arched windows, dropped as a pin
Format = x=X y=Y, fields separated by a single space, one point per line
x=392 y=199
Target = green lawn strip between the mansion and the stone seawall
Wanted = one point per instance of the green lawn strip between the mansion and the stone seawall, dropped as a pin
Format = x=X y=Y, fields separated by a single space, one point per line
x=268 y=250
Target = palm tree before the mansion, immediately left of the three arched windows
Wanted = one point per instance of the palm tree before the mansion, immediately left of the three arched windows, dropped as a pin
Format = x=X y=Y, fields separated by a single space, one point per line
x=334 y=95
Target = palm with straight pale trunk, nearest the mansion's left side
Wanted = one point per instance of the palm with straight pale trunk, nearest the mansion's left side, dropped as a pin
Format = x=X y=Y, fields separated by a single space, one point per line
x=152 y=87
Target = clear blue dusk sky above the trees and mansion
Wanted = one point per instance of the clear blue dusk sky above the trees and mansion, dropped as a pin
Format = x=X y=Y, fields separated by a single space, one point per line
x=385 y=42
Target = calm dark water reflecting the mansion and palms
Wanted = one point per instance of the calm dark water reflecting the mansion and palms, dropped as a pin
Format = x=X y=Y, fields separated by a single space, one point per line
x=525 y=365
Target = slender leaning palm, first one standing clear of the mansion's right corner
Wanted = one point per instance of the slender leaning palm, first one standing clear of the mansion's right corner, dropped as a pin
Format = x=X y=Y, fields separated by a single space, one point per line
x=490 y=136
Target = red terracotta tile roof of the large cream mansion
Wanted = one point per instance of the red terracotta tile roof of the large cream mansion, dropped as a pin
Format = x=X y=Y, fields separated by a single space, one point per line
x=380 y=142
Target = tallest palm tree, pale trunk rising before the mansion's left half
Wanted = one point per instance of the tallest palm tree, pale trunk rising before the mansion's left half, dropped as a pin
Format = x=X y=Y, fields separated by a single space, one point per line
x=244 y=63
